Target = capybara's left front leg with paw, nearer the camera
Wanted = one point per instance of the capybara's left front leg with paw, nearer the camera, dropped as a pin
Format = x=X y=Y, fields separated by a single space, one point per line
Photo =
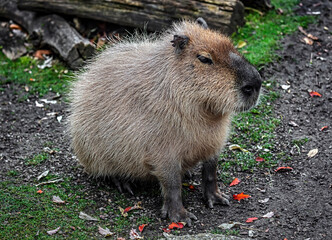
x=170 y=181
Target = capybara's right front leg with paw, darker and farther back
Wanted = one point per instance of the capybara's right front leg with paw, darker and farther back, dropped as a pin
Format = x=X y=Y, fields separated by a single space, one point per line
x=211 y=191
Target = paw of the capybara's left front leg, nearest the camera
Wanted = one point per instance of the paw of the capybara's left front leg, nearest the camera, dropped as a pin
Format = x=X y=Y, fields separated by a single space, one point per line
x=175 y=215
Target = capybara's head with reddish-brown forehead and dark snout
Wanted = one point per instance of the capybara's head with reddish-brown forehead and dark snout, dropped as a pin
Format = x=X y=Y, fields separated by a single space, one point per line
x=222 y=78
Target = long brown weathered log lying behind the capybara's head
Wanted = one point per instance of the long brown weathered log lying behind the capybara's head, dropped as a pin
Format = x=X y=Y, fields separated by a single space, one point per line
x=224 y=15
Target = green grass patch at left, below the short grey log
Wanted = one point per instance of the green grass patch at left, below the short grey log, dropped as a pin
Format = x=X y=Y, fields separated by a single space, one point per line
x=25 y=72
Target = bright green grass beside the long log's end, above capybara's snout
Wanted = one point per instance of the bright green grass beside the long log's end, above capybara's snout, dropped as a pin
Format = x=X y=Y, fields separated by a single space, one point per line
x=262 y=33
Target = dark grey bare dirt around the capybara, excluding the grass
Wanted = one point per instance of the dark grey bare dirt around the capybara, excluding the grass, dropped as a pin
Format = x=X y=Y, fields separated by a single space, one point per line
x=300 y=199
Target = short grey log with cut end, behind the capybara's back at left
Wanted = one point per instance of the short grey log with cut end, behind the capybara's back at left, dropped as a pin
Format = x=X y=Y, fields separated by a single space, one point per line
x=52 y=31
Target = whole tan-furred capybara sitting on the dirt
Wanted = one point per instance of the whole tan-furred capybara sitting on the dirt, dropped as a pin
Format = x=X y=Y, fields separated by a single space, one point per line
x=154 y=107
